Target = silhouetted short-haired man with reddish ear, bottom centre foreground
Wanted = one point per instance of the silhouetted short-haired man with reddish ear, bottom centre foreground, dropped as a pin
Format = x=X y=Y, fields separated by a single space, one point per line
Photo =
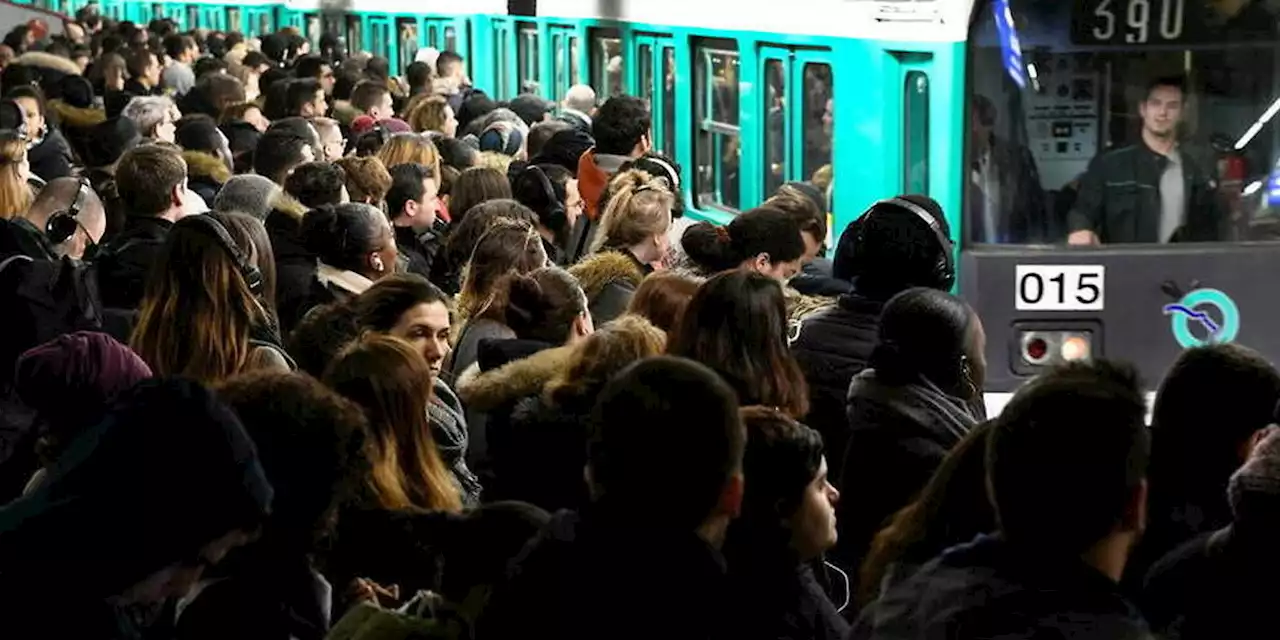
x=657 y=519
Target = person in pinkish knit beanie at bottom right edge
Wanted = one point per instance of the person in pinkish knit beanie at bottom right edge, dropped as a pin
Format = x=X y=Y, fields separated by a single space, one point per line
x=1215 y=586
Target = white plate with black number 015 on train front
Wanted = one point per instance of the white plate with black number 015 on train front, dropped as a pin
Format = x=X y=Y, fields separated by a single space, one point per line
x=1060 y=287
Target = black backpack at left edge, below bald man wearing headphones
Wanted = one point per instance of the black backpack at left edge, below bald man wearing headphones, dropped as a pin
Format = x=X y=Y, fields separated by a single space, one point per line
x=43 y=300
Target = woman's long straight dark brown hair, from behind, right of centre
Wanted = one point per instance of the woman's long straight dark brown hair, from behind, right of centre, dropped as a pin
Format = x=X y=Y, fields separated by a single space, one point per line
x=738 y=326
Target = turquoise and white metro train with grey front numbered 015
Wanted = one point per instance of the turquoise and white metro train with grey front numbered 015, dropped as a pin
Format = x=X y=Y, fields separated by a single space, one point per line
x=735 y=86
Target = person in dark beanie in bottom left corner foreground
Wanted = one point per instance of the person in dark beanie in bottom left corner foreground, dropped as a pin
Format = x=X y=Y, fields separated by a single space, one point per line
x=164 y=487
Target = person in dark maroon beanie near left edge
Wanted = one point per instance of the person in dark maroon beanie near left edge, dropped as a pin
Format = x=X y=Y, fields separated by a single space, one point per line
x=92 y=368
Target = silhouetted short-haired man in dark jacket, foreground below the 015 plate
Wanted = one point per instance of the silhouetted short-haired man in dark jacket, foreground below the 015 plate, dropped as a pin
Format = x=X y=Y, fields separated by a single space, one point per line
x=1067 y=474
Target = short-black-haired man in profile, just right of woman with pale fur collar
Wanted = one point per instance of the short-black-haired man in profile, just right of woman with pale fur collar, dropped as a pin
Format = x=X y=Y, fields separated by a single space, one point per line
x=412 y=203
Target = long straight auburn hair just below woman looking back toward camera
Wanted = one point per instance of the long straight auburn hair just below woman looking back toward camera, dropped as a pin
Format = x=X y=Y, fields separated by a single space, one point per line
x=392 y=382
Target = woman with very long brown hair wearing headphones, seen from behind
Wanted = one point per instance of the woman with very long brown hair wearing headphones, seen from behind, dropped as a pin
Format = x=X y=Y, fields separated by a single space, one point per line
x=202 y=317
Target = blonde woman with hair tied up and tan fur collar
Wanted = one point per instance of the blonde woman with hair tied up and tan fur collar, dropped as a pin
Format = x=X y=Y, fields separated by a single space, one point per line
x=628 y=240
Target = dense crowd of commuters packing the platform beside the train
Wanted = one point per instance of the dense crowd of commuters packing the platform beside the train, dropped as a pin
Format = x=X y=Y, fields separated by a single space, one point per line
x=290 y=342
